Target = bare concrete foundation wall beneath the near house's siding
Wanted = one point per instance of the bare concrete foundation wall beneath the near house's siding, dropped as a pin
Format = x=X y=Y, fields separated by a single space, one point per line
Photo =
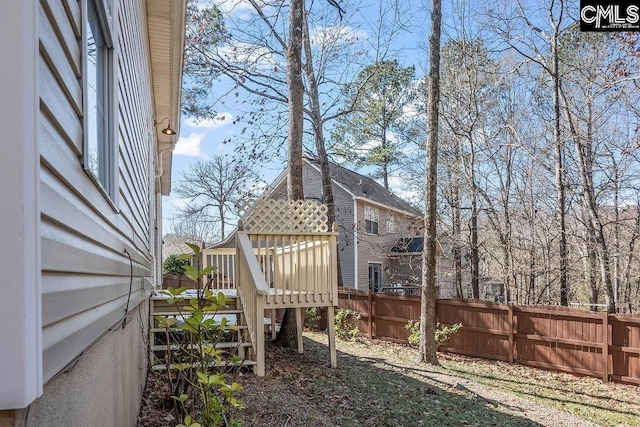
x=103 y=389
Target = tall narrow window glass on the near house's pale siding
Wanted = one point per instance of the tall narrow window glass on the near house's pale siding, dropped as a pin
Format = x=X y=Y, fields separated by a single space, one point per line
x=99 y=146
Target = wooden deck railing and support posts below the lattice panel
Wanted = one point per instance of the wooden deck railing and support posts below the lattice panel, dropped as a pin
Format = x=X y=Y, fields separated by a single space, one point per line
x=277 y=270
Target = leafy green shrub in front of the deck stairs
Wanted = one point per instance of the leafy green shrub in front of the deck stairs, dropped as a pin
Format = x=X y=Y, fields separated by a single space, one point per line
x=201 y=374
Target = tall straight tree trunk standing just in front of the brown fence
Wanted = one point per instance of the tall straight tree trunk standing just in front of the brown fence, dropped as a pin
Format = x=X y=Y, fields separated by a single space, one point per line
x=427 y=349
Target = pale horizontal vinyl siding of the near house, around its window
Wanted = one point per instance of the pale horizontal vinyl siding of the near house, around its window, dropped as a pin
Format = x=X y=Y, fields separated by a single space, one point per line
x=85 y=272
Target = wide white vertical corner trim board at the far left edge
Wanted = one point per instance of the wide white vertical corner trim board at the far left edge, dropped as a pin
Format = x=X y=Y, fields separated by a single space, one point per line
x=21 y=370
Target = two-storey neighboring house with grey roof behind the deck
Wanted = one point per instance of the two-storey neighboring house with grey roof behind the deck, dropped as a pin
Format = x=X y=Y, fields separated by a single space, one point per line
x=370 y=220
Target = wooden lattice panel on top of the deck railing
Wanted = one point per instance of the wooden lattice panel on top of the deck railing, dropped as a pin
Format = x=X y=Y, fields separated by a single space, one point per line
x=285 y=216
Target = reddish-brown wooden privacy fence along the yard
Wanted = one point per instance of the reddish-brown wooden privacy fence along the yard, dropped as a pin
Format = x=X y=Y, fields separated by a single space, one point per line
x=549 y=337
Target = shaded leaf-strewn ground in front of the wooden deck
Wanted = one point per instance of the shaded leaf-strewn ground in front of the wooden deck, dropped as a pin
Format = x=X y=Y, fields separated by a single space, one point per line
x=302 y=390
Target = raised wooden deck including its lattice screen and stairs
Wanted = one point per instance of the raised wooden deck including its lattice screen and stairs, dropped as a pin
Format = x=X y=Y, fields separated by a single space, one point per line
x=282 y=256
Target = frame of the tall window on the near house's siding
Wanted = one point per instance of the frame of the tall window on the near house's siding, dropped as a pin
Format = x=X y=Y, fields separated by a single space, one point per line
x=97 y=15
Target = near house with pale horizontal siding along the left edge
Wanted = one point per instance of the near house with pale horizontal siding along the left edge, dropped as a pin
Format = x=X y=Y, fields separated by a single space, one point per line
x=83 y=168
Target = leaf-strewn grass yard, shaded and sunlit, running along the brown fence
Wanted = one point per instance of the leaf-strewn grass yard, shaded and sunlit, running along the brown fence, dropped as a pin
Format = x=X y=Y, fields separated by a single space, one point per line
x=379 y=384
